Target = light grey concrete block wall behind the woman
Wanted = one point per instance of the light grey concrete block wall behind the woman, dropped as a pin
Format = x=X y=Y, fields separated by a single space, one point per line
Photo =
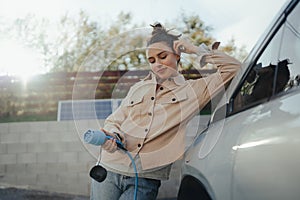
x=51 y=156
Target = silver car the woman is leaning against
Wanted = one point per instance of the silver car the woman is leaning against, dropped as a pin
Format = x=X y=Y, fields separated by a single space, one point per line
x=251 y=147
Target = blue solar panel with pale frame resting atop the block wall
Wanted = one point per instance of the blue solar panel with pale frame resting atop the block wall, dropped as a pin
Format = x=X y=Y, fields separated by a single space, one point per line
x=86 y=109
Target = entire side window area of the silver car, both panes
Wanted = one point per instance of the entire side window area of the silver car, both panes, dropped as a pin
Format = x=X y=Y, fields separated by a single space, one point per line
x=277 y=69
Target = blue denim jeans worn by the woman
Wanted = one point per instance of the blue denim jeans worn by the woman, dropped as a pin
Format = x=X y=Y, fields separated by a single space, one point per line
x=120 y=187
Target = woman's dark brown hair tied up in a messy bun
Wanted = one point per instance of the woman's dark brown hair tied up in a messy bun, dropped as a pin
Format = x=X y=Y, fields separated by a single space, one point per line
x=160 y=34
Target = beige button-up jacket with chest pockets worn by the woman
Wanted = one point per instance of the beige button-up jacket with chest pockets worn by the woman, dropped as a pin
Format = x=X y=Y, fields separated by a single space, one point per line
x=152 y=119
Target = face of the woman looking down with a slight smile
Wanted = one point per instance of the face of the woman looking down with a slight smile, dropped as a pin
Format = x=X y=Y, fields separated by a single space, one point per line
x=162 y=59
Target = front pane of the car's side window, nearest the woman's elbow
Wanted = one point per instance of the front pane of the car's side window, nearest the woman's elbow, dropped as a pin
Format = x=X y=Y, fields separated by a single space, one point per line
x=258 y=86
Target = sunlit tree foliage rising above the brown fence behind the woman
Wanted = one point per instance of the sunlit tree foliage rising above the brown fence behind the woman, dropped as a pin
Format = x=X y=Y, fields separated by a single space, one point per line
x=82 y=44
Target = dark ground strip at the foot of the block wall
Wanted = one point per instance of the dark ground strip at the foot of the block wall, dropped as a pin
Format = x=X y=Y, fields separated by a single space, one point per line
x=23 y=194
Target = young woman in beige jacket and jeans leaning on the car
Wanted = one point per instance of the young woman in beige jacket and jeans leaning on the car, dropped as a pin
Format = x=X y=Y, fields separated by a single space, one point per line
x=152 y=119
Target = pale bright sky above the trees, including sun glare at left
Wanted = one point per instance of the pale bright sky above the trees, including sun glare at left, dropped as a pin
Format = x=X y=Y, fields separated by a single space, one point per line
x=243 y=20
